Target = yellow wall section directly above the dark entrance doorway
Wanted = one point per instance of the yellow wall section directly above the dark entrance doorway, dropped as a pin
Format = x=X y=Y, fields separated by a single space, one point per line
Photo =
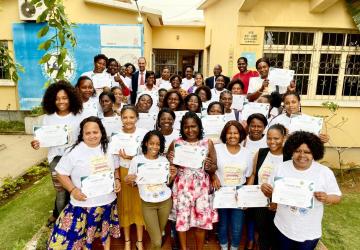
x=174 y=37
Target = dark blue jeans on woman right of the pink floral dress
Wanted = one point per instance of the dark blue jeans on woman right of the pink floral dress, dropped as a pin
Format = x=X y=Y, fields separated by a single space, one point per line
x=230 y=219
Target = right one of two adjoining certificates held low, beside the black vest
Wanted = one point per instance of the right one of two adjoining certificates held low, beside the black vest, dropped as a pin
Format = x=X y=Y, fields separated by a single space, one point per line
x=251 y=196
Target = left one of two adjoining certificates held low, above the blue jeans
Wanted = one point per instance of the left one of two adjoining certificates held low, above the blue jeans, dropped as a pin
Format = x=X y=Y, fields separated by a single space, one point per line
x=225 y=197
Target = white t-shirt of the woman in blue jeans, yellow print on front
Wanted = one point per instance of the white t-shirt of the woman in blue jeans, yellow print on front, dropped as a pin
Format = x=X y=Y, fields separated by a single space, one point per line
x=233 y=169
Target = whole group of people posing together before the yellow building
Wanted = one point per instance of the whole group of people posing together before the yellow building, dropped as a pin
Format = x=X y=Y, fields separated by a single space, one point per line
x=258 y=149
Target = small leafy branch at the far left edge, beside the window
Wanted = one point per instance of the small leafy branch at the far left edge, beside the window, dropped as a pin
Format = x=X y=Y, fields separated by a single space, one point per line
x=8 y=63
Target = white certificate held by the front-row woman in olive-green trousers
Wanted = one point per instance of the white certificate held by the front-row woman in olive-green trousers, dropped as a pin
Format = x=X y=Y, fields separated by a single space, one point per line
x=152 y=173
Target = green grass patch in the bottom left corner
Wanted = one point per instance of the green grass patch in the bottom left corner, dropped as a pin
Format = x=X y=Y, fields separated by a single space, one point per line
x=23 y=216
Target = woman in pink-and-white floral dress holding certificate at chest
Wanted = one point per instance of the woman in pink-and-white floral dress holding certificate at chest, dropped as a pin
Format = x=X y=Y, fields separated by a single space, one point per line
x=195 y=158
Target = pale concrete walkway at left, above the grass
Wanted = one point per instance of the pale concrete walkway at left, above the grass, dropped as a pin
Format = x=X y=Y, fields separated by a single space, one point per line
x=16 y=155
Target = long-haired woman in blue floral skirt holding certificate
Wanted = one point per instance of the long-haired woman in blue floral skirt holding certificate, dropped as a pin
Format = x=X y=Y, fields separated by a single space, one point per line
x=87 y=172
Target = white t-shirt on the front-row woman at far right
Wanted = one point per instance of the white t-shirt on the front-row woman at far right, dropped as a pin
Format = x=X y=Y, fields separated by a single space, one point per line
x=301 y=224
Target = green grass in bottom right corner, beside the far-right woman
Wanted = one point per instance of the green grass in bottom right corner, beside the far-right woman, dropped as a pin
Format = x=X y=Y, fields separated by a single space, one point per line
x=341 y=223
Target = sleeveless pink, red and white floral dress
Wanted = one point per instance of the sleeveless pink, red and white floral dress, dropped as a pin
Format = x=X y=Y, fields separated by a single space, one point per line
x=192 y=198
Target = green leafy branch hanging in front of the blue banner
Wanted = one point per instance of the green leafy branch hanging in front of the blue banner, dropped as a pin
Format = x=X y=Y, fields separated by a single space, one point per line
x=55 y=18
